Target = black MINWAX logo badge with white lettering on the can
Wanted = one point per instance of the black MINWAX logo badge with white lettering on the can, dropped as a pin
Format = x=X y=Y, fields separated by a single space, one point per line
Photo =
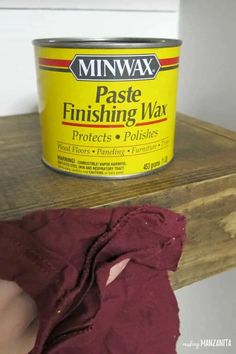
x=115 y=67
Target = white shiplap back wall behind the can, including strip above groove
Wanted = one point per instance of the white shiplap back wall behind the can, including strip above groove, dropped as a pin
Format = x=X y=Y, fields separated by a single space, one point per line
x=23 y=20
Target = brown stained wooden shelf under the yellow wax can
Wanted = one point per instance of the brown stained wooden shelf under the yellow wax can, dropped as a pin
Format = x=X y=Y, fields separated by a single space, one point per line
x=200 y=182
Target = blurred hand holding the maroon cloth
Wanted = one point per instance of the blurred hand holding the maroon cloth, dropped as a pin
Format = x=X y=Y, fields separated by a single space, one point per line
x=18 y=319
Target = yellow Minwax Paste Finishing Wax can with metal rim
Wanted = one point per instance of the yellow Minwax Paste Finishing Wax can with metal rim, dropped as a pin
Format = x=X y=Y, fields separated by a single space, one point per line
x=107 y=106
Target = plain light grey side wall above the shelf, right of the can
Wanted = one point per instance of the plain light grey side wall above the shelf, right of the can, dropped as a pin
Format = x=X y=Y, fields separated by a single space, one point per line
x=207 y=71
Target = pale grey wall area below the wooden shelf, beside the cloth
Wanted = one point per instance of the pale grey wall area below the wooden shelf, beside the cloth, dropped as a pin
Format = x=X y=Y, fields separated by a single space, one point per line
x=208 y=311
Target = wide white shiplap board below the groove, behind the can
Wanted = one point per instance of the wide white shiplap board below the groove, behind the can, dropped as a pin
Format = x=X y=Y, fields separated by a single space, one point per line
x=19 y=27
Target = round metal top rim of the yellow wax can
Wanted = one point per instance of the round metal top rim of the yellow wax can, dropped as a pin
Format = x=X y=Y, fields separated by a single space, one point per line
x=117 y=42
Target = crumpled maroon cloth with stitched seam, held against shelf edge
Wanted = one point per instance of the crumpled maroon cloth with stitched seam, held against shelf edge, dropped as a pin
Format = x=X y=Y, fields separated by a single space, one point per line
x=62 y=258
